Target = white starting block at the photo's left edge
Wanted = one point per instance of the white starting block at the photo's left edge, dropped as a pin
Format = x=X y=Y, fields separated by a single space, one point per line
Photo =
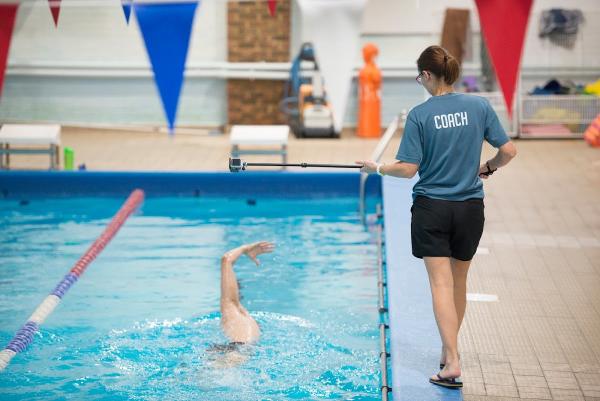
x=46 y=136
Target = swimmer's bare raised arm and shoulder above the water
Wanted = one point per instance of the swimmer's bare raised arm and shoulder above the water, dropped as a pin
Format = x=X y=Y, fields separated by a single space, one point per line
x=236 y=322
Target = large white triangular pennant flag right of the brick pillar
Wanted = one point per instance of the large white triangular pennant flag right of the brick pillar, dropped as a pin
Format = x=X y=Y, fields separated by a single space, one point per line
x=334 y=29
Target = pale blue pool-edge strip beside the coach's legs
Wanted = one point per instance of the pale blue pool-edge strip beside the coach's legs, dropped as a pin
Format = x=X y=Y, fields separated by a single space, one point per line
x=414 y=339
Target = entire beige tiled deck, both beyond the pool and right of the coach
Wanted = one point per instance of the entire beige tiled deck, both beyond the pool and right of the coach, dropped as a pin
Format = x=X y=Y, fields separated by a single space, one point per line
x=539 y=255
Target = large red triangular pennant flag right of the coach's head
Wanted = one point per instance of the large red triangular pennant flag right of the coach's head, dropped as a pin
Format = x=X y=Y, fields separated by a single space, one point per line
x=505 y=42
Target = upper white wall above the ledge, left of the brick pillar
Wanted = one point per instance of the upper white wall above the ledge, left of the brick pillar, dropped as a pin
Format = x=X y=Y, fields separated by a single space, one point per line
x=98 y=36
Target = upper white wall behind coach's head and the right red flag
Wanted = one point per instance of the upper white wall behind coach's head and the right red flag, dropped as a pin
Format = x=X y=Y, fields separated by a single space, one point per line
x=418 y=23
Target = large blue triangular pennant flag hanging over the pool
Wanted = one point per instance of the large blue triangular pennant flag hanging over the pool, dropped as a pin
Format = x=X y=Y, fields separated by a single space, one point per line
x=166 y=29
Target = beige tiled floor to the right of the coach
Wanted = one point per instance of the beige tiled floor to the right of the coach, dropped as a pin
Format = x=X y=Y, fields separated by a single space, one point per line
x=541 y=340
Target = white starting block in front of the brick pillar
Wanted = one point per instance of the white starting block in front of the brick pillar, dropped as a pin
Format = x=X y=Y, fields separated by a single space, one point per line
x=260 y=135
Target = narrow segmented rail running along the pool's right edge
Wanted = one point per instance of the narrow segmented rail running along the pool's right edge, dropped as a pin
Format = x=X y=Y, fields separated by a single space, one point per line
x=381 y=285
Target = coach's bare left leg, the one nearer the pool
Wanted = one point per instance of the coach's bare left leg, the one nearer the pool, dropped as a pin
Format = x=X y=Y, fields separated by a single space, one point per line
x=441 y=282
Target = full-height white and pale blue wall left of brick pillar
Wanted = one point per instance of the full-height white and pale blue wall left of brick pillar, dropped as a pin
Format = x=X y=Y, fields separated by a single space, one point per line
x=93 y=69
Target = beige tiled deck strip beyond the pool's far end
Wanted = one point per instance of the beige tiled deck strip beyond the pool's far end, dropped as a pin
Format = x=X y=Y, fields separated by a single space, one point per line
x=123 y=150
